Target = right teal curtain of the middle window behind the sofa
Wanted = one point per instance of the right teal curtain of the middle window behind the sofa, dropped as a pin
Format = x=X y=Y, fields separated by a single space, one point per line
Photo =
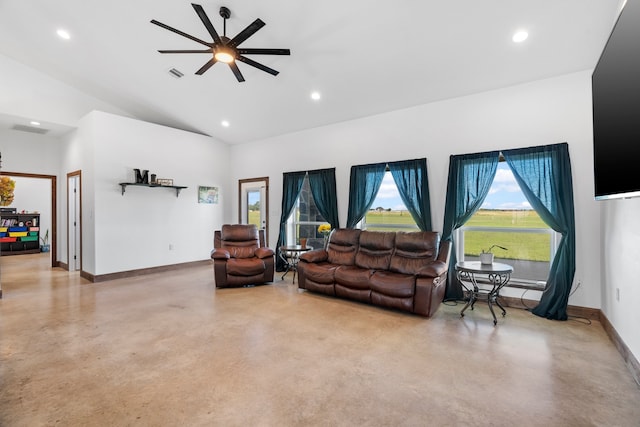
x=410 y=177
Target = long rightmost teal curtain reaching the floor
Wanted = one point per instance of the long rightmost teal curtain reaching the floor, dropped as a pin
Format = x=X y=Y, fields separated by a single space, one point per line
x=544 y=175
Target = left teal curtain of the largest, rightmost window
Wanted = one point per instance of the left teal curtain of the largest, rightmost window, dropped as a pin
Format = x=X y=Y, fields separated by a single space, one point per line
x=470 y=178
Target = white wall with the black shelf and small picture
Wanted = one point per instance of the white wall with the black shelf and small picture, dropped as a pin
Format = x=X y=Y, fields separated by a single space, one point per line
x=135 y=230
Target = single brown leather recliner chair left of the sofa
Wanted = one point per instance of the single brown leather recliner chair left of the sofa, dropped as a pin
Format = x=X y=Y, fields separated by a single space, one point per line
x=240 y=256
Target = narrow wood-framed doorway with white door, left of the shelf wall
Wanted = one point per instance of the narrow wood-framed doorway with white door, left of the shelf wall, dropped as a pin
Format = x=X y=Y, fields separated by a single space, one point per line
x=74 y=221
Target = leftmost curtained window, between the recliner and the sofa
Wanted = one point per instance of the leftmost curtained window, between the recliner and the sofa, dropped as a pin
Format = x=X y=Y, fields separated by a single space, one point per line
x=305 y=219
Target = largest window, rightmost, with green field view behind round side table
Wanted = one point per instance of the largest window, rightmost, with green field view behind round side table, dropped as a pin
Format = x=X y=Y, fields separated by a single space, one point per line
x=507 y=219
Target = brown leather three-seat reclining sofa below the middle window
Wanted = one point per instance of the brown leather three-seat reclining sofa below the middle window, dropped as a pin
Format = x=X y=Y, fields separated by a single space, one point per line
x=398 y=270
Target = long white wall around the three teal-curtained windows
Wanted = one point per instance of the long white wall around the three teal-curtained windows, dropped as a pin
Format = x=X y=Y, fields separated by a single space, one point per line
x=539 y=113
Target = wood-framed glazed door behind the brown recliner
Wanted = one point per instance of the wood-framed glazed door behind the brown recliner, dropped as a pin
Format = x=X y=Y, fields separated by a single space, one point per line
x=253 y=196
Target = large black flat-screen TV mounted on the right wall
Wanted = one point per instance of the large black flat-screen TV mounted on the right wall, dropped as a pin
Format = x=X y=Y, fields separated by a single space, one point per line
x=616 y=109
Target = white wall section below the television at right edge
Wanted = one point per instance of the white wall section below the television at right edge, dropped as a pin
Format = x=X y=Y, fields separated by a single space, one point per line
x=620 y=258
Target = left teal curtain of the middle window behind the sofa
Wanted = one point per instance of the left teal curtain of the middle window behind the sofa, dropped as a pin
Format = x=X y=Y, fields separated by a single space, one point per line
x=364 y=184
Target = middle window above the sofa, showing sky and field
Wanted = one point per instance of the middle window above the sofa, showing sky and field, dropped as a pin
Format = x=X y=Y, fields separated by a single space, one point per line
x=388 y=212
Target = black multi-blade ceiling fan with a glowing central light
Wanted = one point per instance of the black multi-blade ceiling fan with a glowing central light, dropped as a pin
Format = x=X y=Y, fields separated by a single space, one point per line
x=224 y=49
